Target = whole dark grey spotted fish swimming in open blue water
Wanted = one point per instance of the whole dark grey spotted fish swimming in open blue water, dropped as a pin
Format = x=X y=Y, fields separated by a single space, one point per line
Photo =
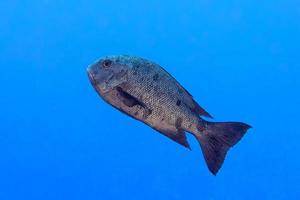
x=146 y=92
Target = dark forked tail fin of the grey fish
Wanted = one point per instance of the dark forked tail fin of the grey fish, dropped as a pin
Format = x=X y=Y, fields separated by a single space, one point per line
x=217 y=138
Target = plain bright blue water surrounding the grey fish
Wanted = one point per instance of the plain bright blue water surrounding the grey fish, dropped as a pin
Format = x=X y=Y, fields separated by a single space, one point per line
x=59 y=140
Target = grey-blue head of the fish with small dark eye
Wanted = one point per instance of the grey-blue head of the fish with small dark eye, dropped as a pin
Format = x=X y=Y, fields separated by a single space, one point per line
x=109 y=72
